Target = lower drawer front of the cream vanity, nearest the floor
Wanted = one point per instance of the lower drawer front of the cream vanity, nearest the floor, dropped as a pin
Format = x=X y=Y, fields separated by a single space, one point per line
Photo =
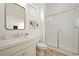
x=30 y=51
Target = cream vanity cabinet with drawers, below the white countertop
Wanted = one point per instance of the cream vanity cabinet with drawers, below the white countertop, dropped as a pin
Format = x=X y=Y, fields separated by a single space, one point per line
x=23 y=49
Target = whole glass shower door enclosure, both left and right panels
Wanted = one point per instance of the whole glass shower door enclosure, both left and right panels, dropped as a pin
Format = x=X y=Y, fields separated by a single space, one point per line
x=68 y=32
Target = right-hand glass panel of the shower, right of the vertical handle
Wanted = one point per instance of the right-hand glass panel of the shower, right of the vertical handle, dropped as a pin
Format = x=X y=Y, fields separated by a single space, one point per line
x=68 y=35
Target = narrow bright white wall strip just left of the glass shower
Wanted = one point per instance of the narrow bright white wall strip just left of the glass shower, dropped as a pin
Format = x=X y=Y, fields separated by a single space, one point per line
x=41 y=16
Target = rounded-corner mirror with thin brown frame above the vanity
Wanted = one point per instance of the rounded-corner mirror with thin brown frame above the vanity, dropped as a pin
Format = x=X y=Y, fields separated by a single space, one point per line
x=14 y=16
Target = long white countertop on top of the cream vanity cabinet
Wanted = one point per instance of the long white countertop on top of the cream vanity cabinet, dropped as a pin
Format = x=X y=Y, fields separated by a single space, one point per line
x=13 y=42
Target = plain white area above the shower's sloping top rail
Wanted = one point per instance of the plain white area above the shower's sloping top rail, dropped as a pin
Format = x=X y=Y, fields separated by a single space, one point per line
x=52 y=8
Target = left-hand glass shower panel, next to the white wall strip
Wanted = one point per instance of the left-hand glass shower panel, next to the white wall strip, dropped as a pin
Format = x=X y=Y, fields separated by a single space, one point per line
x=51 y=32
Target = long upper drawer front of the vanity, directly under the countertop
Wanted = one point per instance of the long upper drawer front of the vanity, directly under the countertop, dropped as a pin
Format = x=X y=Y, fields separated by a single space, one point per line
x=13 y=50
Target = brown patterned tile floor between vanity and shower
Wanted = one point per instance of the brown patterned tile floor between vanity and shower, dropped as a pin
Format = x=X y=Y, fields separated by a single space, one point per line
x=49 y=52
